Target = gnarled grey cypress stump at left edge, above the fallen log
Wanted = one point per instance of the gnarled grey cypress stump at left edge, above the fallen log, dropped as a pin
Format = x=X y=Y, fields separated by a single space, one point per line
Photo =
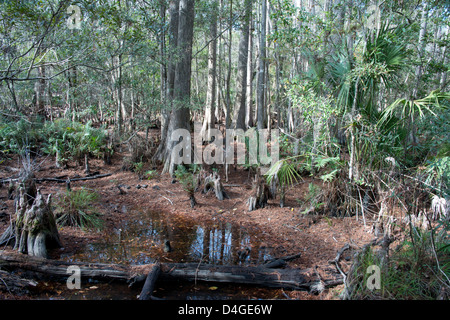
x=34 y=227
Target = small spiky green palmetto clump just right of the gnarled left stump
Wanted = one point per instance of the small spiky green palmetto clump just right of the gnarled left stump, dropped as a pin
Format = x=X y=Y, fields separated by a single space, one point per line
x=77 y=208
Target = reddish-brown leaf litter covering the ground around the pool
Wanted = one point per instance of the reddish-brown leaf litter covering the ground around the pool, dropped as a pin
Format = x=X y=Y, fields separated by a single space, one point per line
x=286 y=230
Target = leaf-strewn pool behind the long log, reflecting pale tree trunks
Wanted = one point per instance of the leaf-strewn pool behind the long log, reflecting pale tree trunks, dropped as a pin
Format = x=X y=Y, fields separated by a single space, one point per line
x=140 y=240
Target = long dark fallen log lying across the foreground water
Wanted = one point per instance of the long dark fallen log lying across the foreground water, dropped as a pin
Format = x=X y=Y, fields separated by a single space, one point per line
x=294 y=279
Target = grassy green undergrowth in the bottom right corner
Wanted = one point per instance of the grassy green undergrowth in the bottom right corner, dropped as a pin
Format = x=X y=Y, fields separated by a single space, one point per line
x=416 y=270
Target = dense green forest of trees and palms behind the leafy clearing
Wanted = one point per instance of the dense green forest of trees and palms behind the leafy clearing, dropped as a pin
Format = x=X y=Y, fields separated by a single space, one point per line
x=358 y=89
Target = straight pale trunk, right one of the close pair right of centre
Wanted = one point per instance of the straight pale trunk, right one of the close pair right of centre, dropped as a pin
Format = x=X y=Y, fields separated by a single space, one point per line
x=260 y=102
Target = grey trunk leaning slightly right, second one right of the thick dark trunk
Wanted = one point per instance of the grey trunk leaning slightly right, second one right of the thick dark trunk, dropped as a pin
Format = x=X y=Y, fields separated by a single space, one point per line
x=240 y=104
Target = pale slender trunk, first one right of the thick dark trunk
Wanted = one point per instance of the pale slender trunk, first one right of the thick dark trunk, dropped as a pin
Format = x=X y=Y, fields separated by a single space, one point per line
x=209 y=119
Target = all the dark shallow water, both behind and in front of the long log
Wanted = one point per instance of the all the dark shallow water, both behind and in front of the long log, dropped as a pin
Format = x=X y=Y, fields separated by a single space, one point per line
x=143 y=237
